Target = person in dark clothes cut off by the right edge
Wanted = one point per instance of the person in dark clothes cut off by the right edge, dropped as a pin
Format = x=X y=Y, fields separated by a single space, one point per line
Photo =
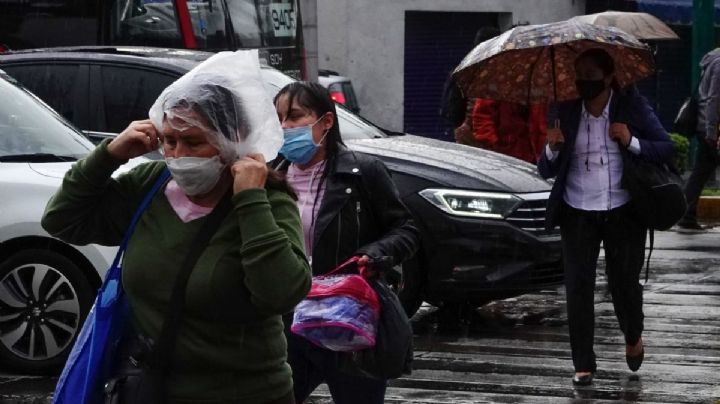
x=708 y=121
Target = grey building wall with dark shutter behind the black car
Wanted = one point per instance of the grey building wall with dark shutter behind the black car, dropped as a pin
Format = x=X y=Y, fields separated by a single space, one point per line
x=398 y=53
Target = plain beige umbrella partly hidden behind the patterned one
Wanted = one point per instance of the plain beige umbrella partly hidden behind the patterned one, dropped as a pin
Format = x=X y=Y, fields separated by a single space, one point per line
x=642 y=26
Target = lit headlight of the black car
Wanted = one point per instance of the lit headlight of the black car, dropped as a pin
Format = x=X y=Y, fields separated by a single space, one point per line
x=493 y=205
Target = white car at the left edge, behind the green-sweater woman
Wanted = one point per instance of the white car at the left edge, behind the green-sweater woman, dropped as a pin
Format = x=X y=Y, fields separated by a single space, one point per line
x=46 y=286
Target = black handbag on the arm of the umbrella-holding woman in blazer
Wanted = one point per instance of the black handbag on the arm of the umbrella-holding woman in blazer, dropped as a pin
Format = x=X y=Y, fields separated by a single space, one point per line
x=656 y=191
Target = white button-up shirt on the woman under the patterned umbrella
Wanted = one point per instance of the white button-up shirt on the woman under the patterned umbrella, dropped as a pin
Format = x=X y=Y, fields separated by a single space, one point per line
x=595 y=169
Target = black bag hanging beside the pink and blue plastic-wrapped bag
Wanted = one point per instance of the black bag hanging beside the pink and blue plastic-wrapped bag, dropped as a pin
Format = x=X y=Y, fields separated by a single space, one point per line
x=392 y=355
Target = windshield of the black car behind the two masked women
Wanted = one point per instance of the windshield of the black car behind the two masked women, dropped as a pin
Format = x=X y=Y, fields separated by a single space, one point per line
x=351 y=126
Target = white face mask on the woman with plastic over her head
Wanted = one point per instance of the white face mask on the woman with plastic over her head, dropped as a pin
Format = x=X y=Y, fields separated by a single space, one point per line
x=195 y=175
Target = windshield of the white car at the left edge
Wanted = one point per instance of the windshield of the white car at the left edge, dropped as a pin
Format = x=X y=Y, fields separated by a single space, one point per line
x=30 y=131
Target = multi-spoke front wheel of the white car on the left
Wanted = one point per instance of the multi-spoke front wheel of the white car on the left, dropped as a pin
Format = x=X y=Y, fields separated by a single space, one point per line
x=44 y=298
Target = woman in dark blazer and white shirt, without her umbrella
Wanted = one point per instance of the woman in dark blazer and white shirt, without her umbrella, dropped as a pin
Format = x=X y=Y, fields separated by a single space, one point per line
x=591 y=207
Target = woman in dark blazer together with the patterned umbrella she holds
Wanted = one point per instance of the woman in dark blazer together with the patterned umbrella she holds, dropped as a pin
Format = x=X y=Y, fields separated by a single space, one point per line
x=559 y=63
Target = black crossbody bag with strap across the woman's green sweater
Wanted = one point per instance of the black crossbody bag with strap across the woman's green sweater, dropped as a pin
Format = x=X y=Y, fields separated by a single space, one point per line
x=140 y=377
